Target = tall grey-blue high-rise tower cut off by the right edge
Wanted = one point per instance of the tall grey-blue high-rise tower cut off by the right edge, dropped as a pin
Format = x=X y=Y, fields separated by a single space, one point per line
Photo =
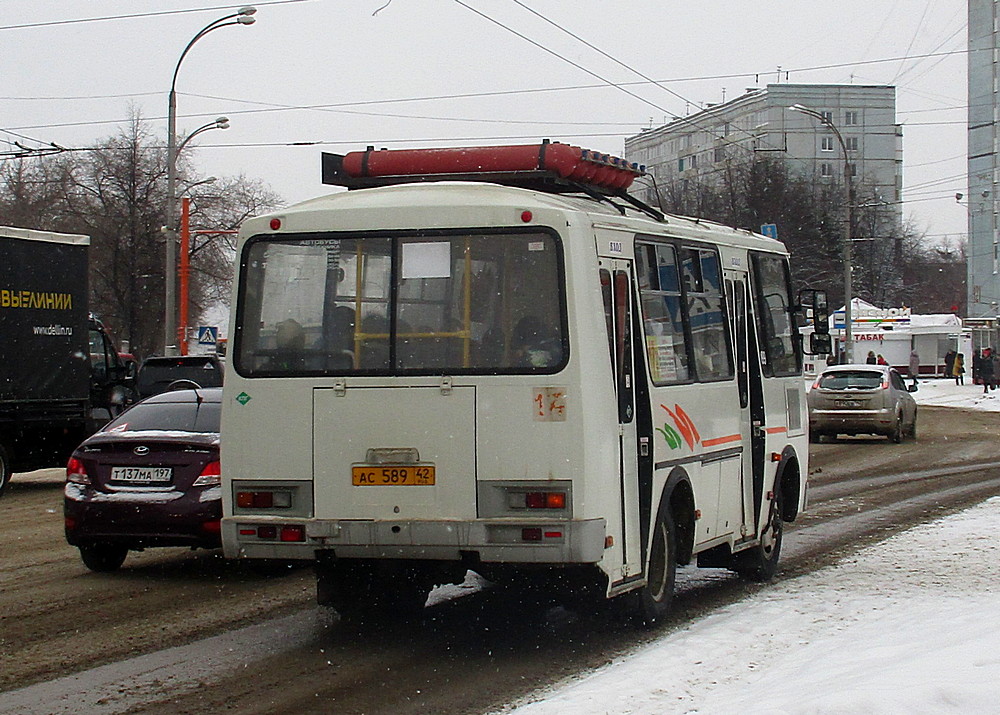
x=983 y=280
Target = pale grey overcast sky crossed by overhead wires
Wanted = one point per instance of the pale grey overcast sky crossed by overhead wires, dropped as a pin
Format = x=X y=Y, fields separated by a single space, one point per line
x=340 y=75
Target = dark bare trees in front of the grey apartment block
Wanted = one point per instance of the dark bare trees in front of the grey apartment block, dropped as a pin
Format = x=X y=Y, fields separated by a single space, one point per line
x=890 y=263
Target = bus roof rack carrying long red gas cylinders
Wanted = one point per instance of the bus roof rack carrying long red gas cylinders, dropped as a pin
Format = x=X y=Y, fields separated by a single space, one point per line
x=549 y=166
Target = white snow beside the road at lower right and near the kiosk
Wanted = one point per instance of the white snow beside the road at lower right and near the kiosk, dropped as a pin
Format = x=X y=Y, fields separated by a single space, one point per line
x=910 y=625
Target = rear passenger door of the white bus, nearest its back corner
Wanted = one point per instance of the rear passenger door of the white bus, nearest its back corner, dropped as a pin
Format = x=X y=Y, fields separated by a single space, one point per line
x=635 y=458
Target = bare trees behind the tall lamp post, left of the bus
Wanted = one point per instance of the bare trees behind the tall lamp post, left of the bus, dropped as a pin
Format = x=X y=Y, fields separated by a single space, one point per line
x=116 y=193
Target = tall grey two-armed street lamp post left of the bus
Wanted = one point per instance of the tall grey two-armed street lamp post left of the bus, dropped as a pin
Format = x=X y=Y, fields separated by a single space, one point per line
x=242 y=17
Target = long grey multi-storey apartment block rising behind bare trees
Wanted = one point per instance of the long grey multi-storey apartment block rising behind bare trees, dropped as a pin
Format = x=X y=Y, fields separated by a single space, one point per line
x=697 y=147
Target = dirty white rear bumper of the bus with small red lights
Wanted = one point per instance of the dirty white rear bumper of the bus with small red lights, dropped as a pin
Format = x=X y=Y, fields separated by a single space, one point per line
x=490 y=540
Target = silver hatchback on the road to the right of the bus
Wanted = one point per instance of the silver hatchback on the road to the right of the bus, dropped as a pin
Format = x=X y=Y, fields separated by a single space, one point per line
x=862 y=399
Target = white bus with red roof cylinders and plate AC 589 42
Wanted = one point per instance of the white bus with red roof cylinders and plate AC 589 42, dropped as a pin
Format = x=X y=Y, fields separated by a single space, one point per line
x=530 y=376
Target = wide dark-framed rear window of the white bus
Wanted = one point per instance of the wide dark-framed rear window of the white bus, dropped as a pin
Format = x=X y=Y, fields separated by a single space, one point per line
x=484 y=302
